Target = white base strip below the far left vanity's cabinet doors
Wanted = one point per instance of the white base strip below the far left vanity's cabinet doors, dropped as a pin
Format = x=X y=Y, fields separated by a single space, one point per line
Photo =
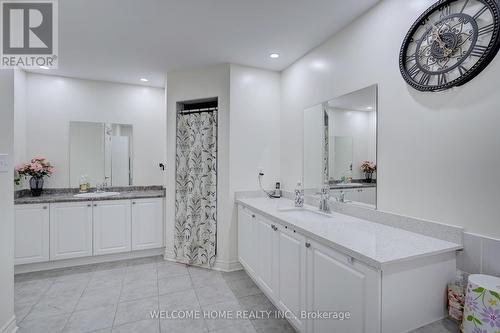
x=42 y=266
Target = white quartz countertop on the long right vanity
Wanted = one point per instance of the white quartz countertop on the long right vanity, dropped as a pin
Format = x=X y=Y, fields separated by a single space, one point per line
x=374 y=244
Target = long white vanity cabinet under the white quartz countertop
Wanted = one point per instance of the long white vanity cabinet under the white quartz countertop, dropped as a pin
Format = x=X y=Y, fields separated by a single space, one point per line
x=322 y=290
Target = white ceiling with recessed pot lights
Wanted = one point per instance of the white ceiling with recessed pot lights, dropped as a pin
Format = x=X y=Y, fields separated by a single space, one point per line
x=124 y=40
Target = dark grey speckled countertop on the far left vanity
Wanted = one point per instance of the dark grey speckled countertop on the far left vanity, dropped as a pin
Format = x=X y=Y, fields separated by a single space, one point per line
x=68 y=195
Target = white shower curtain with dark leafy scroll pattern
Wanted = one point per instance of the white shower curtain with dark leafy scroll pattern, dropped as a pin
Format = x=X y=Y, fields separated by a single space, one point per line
x=196 y=188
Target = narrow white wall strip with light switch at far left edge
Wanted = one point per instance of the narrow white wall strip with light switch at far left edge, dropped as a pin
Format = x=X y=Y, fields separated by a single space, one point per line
x=7 y=203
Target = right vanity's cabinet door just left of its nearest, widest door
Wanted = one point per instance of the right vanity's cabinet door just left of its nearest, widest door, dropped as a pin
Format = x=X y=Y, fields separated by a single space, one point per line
x=292 y=274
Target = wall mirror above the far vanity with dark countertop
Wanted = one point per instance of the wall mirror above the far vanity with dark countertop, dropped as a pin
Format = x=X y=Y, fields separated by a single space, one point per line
x=102 y=152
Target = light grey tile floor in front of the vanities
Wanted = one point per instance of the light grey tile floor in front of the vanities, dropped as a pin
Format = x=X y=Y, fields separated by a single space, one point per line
x=119 y=297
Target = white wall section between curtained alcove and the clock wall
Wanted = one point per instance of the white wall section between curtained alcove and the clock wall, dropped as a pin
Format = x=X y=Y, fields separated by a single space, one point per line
x=255 y=127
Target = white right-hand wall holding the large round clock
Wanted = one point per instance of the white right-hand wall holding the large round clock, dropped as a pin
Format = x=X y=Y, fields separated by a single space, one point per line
x=437 y=152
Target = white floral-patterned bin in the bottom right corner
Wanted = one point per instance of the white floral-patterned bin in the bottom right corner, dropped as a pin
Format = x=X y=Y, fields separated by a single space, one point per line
x=482 y=305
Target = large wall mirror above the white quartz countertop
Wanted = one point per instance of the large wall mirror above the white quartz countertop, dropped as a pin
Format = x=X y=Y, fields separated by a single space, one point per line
x=340 y=147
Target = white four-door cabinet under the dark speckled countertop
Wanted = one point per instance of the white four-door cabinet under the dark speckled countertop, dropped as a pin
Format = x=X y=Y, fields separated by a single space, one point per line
x=70 y=230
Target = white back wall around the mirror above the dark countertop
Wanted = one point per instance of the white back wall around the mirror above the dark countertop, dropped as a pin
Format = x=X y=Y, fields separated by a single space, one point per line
x=55 y=101
